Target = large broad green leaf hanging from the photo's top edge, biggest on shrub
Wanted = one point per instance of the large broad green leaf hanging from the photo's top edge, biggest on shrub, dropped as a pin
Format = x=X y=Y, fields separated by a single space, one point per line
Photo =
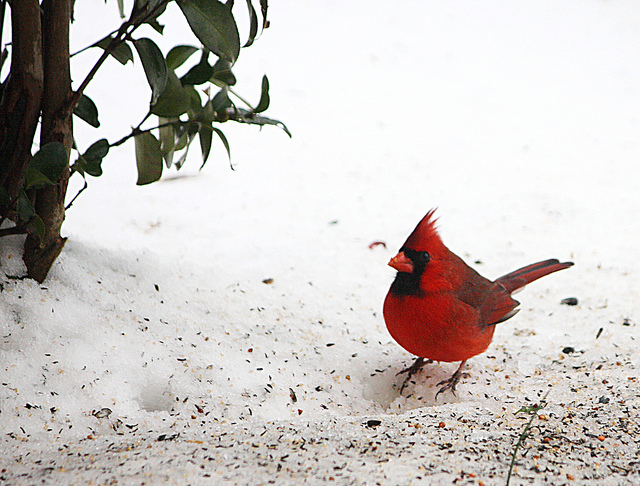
x=213 y=24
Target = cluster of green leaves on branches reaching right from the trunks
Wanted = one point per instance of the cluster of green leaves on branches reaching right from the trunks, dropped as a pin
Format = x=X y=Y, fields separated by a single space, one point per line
x=183 y=105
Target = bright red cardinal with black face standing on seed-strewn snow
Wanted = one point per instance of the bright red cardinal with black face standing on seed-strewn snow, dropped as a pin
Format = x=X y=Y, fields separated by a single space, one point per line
x=440 y=309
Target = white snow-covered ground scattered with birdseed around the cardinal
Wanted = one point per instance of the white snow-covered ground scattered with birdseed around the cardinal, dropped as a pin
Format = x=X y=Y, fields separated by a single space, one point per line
x=225 y=327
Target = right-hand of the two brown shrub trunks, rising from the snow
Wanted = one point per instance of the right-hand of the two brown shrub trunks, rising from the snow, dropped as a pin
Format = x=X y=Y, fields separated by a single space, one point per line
x=40 y=253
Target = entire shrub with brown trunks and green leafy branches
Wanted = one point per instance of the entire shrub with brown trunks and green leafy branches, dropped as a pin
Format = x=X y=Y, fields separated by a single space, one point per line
x=186 y=102
